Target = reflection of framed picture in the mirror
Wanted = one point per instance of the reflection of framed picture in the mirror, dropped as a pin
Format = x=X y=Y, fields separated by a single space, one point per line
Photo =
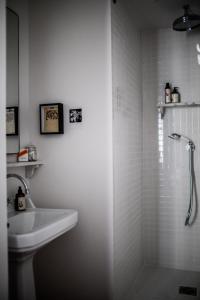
x=12 y=120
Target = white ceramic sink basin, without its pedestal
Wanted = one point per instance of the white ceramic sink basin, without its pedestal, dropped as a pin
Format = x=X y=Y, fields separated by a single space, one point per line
x=33 y=228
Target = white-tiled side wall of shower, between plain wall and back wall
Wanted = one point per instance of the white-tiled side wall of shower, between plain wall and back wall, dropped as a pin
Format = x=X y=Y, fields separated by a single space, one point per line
x=127 y=126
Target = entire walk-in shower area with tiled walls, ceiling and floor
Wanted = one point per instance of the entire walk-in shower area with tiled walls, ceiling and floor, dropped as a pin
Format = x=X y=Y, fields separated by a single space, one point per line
x=156 y=150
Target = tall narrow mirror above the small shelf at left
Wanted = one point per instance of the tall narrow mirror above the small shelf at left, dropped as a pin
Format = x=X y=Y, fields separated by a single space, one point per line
x=12 y=85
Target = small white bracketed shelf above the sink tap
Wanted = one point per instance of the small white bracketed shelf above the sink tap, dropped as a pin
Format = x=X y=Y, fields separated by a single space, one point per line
x=30 y=166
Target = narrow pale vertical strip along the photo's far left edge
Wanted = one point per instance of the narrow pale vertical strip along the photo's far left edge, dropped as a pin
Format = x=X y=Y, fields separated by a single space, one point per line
x=3 y=202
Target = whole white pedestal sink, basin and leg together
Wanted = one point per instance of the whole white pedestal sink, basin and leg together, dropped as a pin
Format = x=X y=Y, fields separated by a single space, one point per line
x=27 y=232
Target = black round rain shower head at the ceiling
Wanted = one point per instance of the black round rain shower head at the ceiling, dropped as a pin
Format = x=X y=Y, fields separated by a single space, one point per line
x=187 y=22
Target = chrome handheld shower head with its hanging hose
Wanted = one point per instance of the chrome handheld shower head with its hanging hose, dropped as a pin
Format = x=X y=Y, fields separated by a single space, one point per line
x=193 y=202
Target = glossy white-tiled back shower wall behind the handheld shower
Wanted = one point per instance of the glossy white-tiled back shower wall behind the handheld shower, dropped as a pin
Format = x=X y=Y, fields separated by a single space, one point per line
x=169 y=56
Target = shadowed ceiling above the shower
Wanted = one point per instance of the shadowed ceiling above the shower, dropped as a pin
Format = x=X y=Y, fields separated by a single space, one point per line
x=158 y=13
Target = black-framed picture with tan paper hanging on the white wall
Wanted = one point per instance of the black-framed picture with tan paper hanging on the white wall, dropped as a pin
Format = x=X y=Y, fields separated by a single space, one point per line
x=51 y=118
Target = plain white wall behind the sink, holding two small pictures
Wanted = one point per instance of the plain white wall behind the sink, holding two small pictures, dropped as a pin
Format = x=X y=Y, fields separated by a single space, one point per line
x=69 y=63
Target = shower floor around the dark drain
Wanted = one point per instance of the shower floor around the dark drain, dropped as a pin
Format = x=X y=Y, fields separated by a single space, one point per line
x=163 y=284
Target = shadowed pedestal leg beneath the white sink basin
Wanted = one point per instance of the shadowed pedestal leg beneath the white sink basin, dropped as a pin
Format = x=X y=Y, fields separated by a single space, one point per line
x=21 y=277
